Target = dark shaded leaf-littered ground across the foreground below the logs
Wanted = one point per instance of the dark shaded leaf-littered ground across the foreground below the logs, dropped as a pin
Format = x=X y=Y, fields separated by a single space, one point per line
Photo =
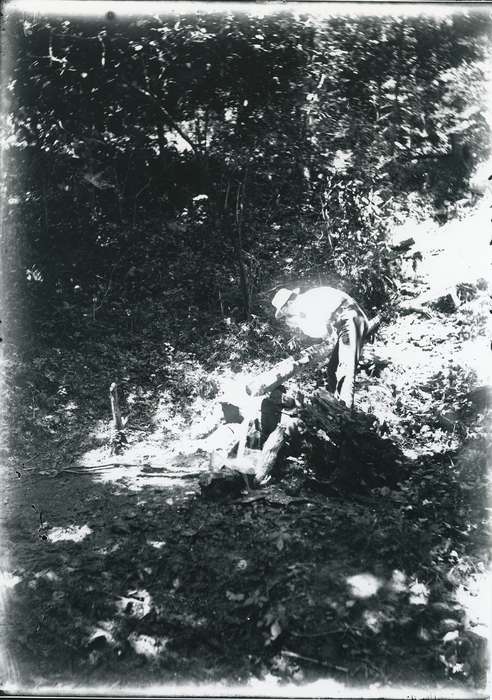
x=171 y=587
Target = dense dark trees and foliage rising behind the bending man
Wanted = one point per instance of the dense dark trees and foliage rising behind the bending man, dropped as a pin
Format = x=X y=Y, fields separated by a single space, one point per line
x=168 y=167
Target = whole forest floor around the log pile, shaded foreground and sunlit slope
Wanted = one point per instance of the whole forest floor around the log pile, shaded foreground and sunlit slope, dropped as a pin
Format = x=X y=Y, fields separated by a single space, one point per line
x=123 y=579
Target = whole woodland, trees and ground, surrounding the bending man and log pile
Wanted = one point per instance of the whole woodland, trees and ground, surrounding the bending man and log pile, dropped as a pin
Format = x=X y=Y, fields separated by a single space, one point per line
x=162 y=175
